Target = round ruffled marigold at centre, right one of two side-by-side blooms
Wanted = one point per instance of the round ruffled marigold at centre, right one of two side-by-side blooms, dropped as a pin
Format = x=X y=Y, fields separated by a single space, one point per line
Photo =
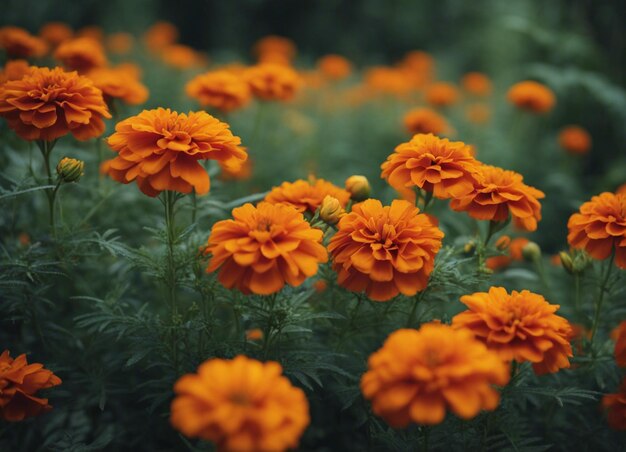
x=384 y=250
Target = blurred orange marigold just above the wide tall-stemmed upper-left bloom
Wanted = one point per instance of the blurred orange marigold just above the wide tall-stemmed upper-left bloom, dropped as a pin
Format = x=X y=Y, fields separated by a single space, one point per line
x=223 y=89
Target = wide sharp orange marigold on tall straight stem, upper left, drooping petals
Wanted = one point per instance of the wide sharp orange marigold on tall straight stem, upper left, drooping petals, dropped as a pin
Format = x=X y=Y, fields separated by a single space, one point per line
x=160 y=149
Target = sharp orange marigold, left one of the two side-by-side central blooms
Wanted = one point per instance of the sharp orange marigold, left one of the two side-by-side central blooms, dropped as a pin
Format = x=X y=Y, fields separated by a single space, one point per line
x=263 y=248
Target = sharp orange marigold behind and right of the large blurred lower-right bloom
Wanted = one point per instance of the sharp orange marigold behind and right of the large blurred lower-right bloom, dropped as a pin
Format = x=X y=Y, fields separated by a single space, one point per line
x=520 y=326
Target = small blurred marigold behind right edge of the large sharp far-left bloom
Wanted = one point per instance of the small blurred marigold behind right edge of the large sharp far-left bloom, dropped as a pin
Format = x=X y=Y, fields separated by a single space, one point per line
x=119 y=83
